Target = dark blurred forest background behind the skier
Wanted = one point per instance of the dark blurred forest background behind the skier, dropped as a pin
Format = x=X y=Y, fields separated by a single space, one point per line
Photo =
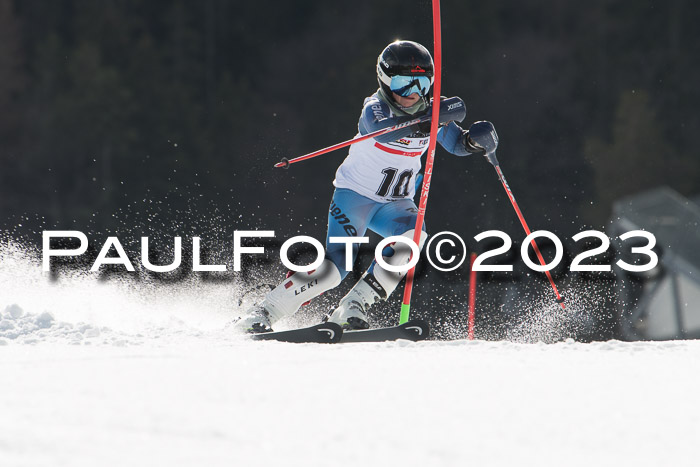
x=133 y=116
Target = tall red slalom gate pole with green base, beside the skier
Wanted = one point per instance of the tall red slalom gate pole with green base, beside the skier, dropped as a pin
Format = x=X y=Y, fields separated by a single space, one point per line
x=437 y=45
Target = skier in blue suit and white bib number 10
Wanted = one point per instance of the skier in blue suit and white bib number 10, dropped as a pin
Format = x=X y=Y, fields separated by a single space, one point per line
x=374 y=188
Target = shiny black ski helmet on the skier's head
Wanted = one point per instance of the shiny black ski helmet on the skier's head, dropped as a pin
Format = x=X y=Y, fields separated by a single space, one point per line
x=403 y=58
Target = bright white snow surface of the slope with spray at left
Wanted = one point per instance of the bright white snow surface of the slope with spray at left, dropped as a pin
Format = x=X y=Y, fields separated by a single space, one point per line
x=123 y=373
